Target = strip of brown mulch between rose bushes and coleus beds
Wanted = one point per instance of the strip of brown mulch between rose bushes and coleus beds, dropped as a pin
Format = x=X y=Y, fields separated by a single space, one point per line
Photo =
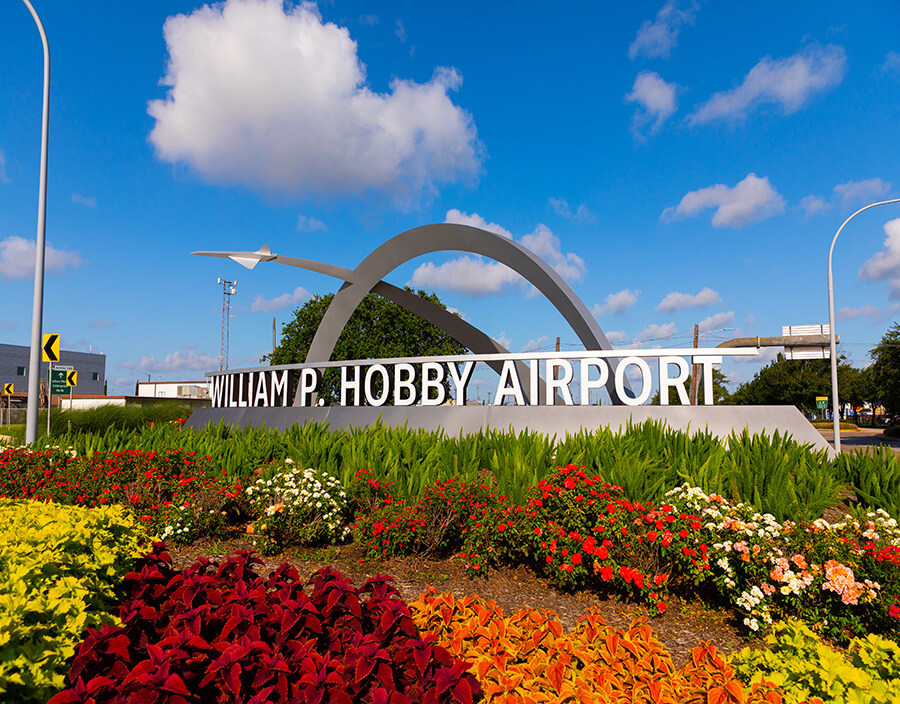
x=682 y=627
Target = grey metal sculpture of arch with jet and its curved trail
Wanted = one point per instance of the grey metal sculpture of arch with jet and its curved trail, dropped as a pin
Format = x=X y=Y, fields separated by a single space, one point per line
x=427 y=239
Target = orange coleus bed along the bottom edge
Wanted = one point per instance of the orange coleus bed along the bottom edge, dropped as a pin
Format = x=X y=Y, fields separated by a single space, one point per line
x=530 y=657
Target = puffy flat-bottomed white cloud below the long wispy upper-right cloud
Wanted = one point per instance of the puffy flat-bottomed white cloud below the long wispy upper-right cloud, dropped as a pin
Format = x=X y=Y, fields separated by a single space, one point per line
x=751 y=200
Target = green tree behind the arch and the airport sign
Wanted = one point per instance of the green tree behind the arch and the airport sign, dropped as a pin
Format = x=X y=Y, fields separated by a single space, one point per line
x=378 y=328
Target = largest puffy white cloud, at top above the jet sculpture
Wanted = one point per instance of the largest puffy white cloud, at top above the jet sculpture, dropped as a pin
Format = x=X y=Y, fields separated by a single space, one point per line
x=270 y=96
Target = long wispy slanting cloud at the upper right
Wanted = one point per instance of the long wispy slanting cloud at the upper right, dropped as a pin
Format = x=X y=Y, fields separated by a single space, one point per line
x=790 y=83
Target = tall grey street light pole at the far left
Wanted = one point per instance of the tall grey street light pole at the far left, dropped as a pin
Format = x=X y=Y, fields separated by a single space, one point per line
x=34 y=364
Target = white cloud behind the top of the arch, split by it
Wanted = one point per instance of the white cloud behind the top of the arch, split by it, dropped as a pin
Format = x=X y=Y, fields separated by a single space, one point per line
x=477 y=276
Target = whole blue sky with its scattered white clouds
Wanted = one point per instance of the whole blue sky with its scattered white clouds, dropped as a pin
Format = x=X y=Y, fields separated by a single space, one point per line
x=677 y=162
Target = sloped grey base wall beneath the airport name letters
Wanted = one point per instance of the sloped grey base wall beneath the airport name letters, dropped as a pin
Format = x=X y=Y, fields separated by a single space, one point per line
x=558 y=420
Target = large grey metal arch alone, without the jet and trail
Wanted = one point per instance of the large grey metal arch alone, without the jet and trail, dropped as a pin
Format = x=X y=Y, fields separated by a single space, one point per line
x=428 y=239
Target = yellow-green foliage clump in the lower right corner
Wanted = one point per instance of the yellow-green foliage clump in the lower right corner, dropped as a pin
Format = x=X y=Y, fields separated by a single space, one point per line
x=803 y=667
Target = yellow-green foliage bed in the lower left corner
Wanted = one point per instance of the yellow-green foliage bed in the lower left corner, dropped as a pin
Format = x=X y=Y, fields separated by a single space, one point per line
x=59 y=570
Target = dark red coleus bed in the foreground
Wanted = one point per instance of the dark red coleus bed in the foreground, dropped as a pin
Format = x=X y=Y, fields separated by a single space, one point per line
x=223 y=633
